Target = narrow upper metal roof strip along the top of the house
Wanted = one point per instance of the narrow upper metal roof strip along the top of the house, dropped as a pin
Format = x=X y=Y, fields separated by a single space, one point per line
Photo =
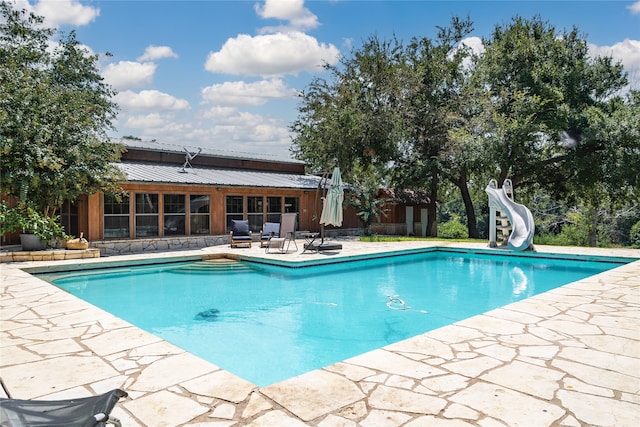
x=203 y=151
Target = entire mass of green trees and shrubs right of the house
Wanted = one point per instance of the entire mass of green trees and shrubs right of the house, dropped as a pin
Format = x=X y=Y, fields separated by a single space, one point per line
x=534 y=107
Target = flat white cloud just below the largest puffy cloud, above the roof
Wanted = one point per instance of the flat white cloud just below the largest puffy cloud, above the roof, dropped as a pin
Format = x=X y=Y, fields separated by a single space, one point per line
x=243 y=93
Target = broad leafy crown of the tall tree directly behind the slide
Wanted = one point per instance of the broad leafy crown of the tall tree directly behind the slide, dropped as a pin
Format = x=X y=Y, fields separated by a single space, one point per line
x=540 y=83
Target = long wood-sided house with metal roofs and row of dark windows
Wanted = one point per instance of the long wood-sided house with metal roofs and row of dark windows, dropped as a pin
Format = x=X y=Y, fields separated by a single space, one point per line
x=184 y=197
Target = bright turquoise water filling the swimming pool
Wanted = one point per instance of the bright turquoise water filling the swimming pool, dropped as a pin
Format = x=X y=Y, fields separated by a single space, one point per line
x=267 y=323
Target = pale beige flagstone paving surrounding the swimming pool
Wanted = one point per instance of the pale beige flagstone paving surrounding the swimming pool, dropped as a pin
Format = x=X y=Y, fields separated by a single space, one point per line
x=567 y=357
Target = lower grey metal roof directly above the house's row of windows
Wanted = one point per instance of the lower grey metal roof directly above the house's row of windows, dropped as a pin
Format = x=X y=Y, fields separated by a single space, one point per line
x=174 y=174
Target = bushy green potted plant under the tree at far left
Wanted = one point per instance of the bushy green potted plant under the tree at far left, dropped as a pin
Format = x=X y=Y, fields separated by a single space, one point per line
x=37 y=230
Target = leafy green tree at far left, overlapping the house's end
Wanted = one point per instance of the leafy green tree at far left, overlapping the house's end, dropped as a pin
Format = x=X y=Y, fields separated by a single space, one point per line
x=54 y=113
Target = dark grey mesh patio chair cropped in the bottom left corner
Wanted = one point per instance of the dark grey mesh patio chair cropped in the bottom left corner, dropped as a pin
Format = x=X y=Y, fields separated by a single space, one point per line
x=82 y=412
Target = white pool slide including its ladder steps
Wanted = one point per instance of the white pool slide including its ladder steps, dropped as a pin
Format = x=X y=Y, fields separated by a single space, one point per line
x=514 y=221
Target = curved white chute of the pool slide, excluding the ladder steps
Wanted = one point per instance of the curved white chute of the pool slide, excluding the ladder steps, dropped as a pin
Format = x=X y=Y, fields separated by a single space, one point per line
x=520 y=217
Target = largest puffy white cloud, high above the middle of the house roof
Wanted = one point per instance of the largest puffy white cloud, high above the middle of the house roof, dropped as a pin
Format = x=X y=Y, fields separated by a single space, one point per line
x=271 y=55
